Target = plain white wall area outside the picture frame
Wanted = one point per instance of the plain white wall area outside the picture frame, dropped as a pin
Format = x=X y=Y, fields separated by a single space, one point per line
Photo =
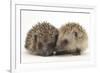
x=5 y=41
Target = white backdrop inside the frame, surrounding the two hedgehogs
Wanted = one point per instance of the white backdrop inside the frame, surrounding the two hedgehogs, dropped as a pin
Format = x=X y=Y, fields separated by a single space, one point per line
x=57 y=19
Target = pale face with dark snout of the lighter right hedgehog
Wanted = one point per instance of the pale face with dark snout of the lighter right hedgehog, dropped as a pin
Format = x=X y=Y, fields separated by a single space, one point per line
x=66 y=41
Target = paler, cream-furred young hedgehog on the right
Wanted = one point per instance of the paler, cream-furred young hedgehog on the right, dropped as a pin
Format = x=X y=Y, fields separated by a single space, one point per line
x=72 y=39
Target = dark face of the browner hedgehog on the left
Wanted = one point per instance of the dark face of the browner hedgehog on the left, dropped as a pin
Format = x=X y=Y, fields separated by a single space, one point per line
x=45 y=45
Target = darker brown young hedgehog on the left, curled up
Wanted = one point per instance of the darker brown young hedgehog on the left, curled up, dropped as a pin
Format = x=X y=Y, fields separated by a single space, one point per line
x=41 y=39
